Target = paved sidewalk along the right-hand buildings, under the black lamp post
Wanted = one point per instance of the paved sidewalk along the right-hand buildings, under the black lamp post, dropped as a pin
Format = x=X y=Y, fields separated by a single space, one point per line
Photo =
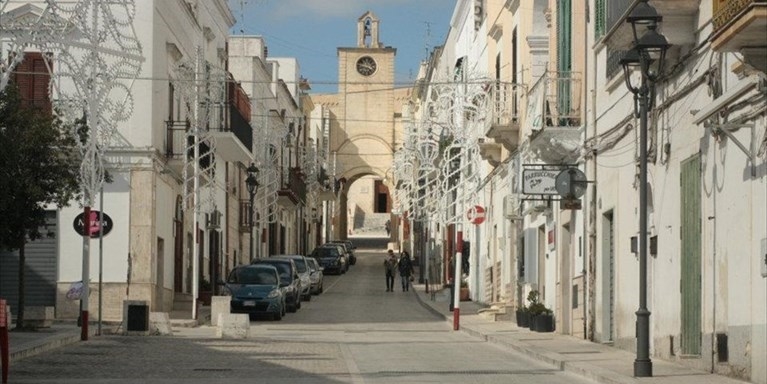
x=598 y=362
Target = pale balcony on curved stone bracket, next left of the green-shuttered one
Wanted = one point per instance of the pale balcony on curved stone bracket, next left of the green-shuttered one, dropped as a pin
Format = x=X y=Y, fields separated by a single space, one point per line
x=503 y=125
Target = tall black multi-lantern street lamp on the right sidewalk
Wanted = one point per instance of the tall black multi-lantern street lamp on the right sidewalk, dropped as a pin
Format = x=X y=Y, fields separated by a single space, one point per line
x=647 y=54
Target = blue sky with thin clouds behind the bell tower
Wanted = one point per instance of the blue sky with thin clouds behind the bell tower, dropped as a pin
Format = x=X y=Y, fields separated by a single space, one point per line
x=312 y=30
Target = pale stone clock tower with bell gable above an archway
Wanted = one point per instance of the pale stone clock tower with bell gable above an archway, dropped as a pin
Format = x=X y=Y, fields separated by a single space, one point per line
x=365 y=124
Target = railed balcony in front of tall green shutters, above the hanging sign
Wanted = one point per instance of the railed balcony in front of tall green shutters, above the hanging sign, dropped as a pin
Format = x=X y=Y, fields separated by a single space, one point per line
x=554 y=117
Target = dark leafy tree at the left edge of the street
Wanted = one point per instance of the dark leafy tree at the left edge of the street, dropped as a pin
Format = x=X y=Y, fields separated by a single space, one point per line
x=39 y=167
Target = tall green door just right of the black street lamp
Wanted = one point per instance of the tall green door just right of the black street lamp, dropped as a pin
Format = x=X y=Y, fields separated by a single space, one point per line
x=691 y=255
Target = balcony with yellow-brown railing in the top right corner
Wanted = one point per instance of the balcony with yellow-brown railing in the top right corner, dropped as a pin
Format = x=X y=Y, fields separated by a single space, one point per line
x=739 y=26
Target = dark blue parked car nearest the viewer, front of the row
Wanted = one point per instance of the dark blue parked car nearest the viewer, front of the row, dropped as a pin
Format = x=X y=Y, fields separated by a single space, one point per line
x=255 y=289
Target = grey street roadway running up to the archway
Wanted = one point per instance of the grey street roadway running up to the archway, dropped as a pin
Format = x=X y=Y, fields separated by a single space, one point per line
x=355 y=332
